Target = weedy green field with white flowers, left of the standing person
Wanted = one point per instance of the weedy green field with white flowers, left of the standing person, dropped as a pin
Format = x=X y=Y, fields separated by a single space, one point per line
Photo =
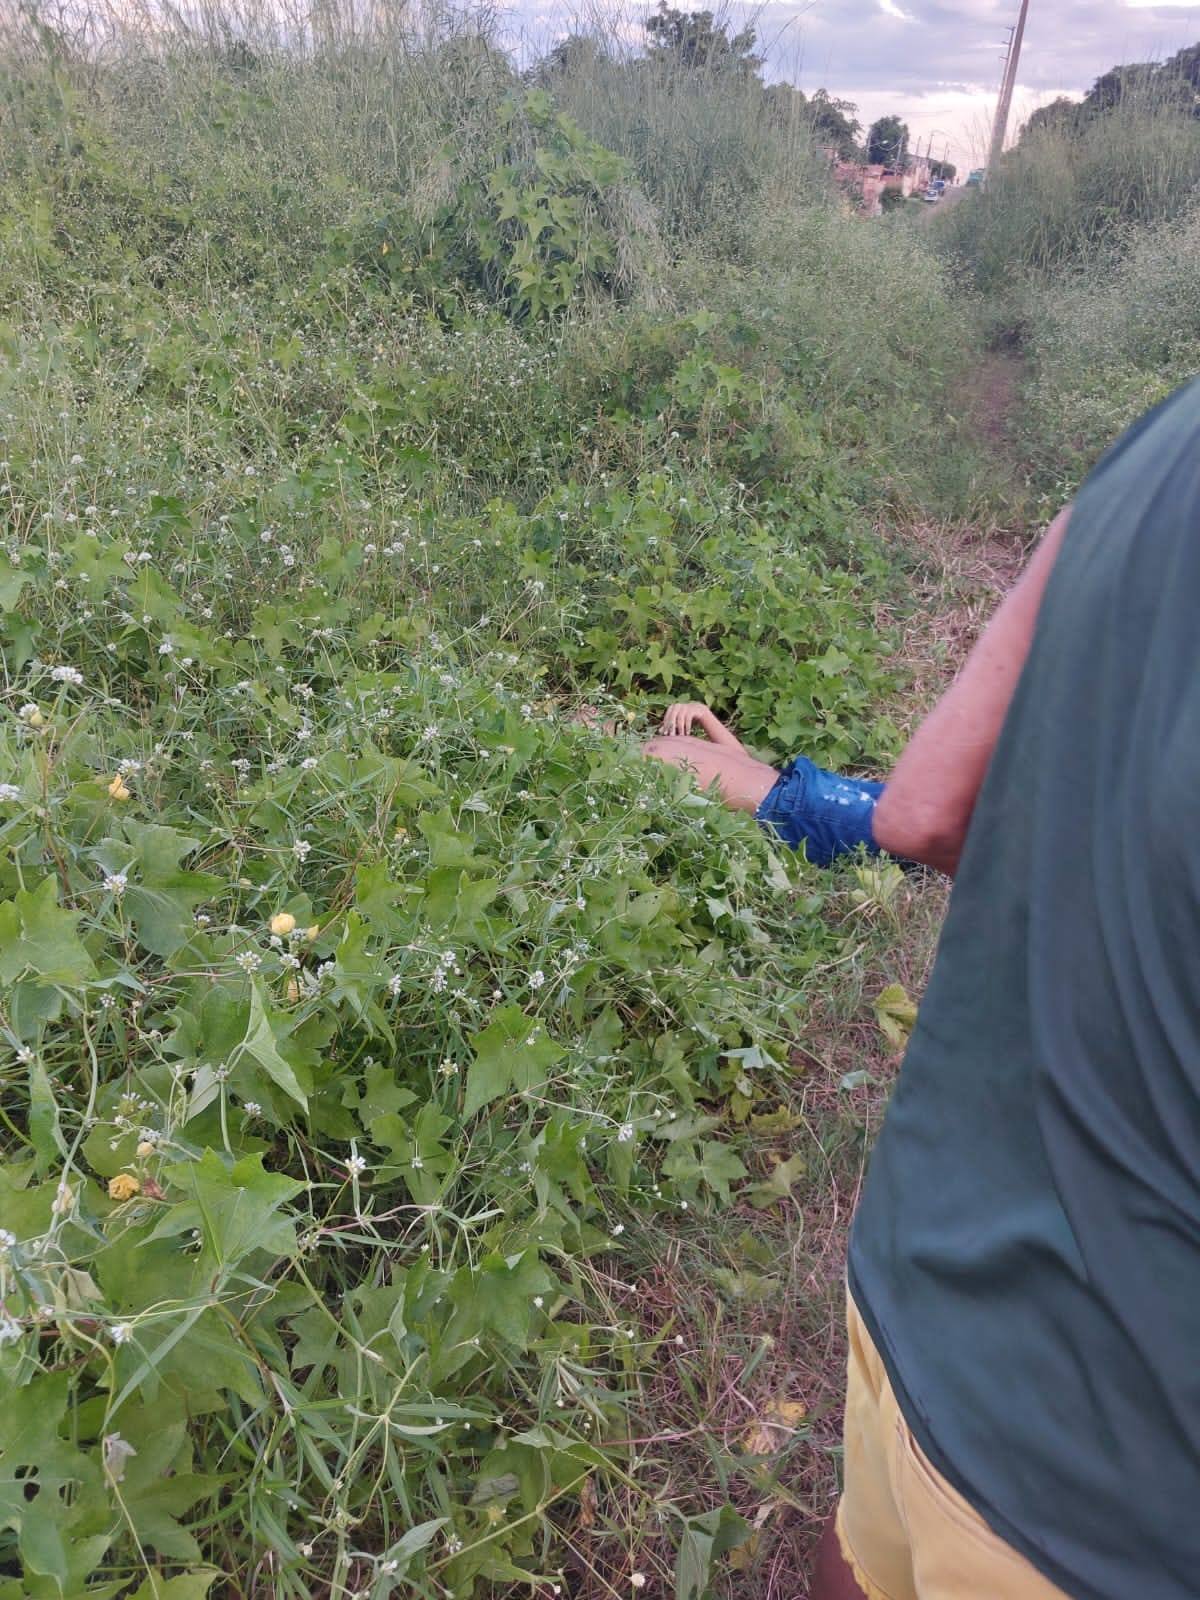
x=428 y=1130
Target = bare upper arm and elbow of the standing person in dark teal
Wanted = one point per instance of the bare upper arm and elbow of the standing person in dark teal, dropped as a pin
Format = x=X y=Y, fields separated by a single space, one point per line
x=926 y=810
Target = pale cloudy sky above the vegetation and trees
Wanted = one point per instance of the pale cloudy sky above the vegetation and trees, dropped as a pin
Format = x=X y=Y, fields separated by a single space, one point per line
x=934 y=63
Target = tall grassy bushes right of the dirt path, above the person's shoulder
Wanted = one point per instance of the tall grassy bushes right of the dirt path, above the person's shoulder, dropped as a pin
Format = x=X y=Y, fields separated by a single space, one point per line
x=1084 y=246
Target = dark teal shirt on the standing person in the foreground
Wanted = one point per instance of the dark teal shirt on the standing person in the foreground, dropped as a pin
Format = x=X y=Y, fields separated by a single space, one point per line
x=1028 y=1247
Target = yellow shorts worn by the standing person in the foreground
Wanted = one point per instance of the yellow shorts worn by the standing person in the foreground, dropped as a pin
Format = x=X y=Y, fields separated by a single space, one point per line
x=905 y=1532
